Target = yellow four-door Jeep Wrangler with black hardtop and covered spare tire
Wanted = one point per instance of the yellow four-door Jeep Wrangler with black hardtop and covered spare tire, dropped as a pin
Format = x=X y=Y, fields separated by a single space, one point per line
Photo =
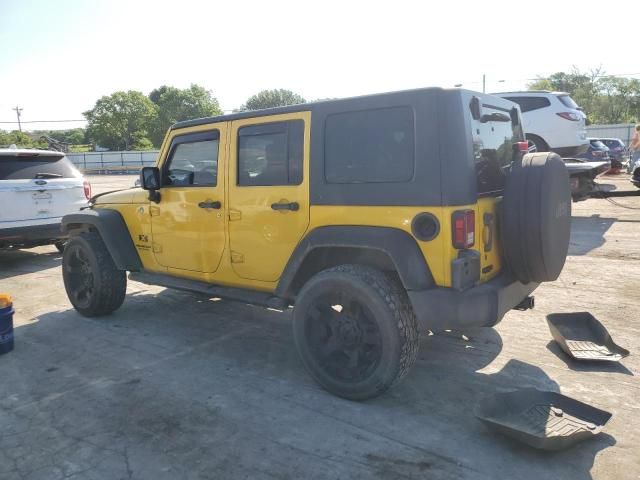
x=374 y=217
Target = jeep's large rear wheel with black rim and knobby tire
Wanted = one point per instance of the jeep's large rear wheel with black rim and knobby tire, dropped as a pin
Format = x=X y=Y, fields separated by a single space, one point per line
x=355 y=331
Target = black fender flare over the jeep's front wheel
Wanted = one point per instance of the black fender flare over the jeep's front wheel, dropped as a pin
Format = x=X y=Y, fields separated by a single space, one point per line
x=114 y=232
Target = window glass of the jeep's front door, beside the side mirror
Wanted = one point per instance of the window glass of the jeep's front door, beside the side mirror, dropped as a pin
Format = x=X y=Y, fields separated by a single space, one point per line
x=193 y=161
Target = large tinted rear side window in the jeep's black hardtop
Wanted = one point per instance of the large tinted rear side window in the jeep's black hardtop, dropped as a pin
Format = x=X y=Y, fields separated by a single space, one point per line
x=370 y=146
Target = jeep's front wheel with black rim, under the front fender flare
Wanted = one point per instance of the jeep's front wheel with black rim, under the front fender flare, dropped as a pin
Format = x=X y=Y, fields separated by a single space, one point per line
x=94 y=285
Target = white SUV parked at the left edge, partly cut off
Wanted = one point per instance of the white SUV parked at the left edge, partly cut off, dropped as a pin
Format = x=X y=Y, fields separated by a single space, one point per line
x=37 y=188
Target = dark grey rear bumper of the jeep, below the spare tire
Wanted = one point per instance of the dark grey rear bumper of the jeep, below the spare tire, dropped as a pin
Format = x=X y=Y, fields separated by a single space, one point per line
x=481 y=306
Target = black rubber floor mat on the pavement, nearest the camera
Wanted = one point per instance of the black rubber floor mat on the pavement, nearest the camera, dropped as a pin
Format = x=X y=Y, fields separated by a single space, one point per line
x=543 y=420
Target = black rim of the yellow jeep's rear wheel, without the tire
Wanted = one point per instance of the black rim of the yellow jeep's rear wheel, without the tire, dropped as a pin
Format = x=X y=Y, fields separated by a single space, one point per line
x=344 y=338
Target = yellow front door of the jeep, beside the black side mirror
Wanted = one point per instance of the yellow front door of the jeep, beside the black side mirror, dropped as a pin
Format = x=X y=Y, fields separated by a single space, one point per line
x=188 y=223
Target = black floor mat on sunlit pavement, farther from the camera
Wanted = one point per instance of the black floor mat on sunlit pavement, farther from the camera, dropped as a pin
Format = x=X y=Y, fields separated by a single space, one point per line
x=583 y=337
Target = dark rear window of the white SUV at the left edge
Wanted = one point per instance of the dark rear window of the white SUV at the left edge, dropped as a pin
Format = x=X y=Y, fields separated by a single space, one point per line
x=36 y=166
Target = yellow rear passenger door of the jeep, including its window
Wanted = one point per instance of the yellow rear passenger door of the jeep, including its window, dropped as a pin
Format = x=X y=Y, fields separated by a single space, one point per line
x=268 y=192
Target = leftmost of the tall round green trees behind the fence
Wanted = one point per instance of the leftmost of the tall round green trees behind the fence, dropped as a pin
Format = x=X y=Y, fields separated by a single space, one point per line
x=121 y=120
